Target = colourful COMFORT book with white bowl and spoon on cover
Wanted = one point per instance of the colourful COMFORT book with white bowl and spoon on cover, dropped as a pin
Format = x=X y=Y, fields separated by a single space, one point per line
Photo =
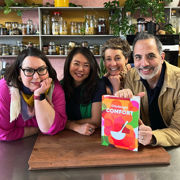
x=119 y=126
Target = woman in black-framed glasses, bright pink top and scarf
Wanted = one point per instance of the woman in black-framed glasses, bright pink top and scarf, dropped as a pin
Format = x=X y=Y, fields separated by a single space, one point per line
x=31 y=98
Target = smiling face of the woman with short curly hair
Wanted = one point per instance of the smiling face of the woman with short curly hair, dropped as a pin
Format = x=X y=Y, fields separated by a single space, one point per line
x=114 y=61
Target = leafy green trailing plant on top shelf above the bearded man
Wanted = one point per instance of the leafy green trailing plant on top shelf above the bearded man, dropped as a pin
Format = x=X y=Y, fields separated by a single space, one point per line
x=139 y=8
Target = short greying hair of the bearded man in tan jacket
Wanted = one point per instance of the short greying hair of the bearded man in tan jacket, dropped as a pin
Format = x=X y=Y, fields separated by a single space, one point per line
x=144 y=36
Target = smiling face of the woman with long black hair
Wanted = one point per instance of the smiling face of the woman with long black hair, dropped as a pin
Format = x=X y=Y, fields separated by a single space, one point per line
x=79 y=68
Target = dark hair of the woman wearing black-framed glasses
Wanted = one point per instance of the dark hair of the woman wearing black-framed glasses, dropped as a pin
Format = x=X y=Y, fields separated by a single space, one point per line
x=12 y=72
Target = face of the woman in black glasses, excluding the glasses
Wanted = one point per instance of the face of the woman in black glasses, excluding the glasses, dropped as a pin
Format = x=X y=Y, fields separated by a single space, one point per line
x=31 y=62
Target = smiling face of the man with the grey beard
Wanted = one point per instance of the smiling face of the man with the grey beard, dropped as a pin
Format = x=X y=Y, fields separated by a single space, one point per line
x=147 y=59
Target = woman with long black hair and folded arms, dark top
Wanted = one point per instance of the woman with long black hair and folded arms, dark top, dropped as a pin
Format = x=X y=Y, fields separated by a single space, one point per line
x=83 y=90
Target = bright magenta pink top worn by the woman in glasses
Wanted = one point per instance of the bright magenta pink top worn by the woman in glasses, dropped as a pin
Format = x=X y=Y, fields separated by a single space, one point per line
x=15 y=130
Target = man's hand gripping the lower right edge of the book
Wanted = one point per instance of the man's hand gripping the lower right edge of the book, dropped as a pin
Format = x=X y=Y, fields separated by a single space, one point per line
x=145 y=134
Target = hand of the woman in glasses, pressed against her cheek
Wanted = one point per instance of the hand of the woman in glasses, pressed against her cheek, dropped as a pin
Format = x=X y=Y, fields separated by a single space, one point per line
x=44 y=86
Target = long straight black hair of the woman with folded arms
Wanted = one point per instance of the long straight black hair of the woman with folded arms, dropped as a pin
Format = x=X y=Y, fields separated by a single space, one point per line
x=89 y=84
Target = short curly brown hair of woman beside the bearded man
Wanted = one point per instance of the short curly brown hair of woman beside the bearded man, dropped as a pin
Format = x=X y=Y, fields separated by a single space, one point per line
x=117 y=43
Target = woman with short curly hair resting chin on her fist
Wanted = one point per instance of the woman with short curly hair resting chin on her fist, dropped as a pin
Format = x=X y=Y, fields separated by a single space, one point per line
x=115 y=54
